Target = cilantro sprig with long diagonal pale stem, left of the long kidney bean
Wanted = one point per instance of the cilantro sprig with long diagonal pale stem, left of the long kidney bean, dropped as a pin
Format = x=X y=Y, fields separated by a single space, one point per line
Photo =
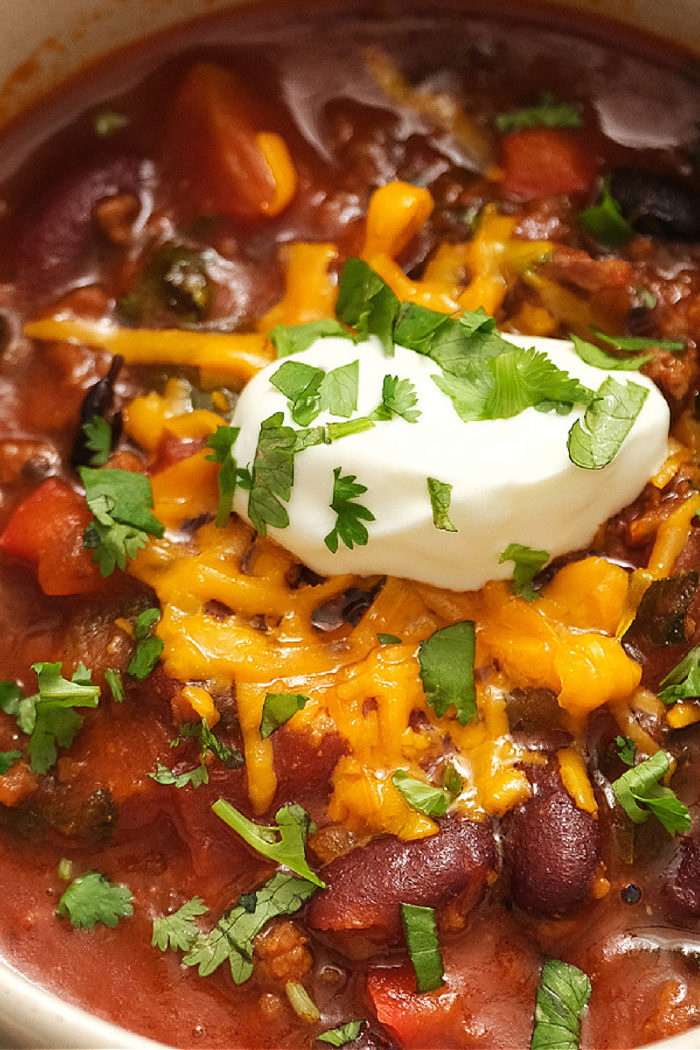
x=286 y=844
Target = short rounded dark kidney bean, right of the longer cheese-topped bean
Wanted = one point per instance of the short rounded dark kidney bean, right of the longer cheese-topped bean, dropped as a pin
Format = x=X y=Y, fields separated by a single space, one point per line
x=553 y=852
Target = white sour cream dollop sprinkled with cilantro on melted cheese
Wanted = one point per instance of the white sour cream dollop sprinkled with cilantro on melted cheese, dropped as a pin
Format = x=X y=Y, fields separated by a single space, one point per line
x=513 y=479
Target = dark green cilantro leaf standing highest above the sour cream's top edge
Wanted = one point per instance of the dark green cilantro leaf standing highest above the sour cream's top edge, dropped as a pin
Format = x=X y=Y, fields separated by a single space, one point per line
x=368 y=304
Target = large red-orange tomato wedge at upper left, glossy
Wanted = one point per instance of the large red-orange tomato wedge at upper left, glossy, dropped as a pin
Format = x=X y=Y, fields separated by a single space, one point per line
x=229 y=166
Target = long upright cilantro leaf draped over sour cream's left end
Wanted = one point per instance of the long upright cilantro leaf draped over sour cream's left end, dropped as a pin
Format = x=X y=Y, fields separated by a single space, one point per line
x=272 y=475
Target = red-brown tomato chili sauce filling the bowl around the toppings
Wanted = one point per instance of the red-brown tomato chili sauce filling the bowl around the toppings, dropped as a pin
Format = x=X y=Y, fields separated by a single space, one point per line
x=118 y=225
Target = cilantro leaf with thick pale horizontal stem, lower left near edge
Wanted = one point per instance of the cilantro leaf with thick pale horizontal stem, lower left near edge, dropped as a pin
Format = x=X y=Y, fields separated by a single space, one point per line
x=48 y=717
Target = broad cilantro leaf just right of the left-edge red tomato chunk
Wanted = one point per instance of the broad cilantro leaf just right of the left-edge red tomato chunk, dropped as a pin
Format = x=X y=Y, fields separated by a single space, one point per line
x=121 y=502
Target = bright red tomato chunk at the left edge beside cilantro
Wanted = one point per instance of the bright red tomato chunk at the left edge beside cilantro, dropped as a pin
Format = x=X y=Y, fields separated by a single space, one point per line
x=47 y=531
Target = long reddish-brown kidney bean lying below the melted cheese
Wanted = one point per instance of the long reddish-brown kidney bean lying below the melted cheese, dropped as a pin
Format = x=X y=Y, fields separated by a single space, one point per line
x=366 y=888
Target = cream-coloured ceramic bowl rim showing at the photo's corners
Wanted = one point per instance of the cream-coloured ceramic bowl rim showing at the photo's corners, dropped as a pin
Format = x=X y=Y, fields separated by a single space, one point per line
x=43 y=43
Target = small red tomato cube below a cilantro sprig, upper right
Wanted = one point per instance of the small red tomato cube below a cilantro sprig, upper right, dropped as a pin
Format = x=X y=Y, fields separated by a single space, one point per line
x=546 y=162
